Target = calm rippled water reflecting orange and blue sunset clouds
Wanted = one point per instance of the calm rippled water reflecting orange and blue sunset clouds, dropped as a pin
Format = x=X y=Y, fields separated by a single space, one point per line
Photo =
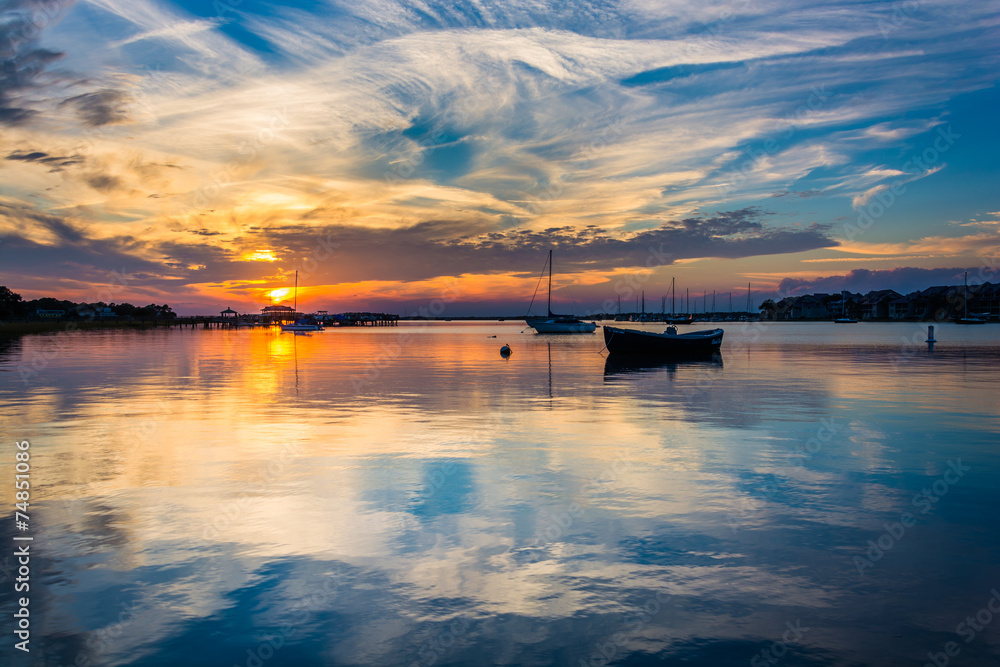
x=822 y=495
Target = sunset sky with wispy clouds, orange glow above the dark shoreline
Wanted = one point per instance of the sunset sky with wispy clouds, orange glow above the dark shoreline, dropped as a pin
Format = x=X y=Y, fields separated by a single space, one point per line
x=411 y=154
